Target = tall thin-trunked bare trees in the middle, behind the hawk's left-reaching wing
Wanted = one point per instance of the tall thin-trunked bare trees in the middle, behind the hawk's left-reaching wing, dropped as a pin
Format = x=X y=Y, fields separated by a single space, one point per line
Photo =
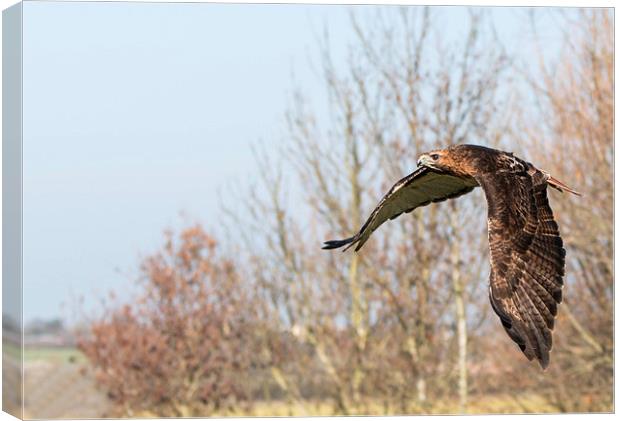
x=404 y=92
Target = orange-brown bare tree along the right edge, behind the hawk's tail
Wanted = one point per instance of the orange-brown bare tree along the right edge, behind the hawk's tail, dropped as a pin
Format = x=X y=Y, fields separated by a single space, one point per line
x=571 y=135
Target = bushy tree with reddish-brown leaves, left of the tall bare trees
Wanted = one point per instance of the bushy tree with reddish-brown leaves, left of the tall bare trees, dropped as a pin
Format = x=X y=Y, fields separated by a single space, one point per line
x=179 y=347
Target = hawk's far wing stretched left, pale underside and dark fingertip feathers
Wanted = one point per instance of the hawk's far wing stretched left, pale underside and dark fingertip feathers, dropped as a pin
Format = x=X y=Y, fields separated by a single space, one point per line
x=419 y=188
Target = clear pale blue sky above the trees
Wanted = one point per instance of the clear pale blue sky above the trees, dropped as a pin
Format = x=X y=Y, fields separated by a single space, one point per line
x=137 y=112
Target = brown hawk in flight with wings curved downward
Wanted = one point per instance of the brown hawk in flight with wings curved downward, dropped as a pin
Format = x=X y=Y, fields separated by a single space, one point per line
x=526 y=250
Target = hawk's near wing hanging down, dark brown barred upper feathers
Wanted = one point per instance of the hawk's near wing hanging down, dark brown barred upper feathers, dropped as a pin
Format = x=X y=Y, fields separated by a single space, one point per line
x=527 y=259
